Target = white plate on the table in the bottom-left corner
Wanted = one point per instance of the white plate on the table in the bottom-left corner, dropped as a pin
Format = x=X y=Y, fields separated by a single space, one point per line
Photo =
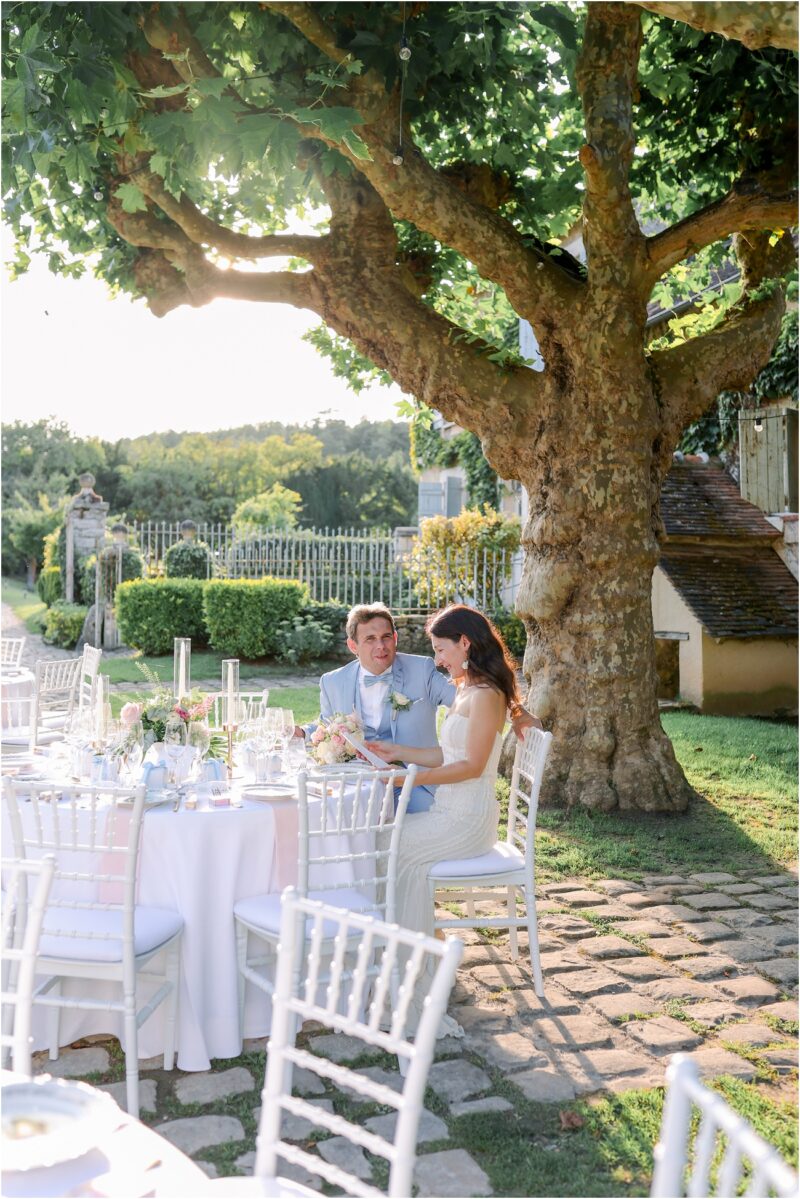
x=53 y=1120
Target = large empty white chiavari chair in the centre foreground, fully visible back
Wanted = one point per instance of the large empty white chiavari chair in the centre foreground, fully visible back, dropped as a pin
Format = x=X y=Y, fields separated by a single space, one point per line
x=346 y=1002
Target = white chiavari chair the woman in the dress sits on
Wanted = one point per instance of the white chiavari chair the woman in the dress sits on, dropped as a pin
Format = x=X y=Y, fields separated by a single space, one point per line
x=509 y=865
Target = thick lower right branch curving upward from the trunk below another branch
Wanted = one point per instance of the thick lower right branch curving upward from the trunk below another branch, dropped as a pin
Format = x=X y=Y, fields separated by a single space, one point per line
x=691 y=376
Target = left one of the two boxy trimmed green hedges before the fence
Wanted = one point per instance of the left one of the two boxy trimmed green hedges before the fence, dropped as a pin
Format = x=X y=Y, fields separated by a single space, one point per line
x=151 y=613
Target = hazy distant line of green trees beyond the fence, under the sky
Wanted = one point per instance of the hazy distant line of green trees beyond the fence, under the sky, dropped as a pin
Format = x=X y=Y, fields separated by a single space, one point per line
x=345 y=475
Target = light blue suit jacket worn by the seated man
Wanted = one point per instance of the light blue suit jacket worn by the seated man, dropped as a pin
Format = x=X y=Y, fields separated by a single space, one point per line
x=414 y=677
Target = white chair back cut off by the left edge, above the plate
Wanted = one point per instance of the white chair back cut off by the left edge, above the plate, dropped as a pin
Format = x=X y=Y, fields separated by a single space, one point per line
x=23 y=909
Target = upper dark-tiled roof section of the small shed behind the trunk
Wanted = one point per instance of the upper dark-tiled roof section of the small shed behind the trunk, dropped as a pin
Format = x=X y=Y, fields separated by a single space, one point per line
x=701 y=501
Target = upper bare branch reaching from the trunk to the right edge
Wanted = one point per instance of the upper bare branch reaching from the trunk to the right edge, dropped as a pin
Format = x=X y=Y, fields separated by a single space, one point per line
x=747 y=207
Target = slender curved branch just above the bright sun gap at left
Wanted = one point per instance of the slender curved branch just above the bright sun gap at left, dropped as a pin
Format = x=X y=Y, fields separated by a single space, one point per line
x=203 y=231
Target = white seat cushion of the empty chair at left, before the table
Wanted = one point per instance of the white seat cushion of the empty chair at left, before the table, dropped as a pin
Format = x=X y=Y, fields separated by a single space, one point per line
x=153 y=927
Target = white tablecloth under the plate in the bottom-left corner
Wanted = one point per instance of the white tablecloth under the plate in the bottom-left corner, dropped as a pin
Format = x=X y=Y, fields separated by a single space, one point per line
x=129 y=1159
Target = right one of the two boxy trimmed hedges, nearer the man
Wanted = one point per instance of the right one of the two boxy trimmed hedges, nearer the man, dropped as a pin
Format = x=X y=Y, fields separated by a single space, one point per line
x=243 y=616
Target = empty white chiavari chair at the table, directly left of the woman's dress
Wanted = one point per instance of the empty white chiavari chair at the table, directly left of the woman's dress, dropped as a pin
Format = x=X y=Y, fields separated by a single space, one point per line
x=357 y=828
